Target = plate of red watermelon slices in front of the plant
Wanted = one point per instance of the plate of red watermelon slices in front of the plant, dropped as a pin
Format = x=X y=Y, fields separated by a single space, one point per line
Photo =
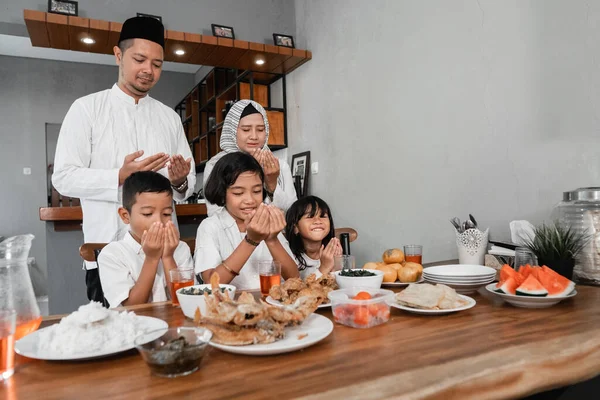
x=532 y=287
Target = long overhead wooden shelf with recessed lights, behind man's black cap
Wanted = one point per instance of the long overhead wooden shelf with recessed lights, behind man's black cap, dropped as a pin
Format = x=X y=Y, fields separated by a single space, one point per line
x=65 y=32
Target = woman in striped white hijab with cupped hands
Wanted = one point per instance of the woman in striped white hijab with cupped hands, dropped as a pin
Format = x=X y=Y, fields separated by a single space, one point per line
x=246 y=129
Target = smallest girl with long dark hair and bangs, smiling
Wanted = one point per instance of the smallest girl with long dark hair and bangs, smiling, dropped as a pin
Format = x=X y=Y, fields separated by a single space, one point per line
x=311 y=235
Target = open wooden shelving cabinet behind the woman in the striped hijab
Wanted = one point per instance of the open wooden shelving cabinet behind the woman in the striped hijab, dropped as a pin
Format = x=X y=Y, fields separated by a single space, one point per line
x=203 y=110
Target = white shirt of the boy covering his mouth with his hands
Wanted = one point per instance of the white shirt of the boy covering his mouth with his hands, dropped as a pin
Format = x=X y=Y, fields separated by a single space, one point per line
x=120 y=264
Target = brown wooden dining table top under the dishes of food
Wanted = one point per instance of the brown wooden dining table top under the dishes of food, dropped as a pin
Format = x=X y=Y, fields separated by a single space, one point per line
x=491 y=351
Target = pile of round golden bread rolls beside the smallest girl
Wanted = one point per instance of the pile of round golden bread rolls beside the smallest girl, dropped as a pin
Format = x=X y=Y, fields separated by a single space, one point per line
x=396 y=270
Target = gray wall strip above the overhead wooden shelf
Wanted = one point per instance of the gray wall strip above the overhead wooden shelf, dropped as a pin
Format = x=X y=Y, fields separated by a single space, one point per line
x=252 y=20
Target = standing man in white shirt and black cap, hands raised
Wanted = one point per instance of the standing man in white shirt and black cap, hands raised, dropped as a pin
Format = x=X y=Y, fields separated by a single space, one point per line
x=107 y=136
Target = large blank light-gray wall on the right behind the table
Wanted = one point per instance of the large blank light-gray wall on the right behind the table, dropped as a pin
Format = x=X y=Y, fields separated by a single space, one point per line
x=418 y=111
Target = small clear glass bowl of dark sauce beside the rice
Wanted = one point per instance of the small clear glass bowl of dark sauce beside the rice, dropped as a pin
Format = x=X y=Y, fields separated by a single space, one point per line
x=178 y=352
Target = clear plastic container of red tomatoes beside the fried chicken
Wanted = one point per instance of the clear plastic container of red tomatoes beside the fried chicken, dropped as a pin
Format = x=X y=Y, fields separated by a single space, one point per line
x=360 y=313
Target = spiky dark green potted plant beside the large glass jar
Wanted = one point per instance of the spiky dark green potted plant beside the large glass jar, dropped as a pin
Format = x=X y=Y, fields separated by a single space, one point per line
x=557 y=246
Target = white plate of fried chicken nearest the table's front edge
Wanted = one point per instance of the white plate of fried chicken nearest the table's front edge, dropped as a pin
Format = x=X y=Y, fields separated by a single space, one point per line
x=251 y=327
